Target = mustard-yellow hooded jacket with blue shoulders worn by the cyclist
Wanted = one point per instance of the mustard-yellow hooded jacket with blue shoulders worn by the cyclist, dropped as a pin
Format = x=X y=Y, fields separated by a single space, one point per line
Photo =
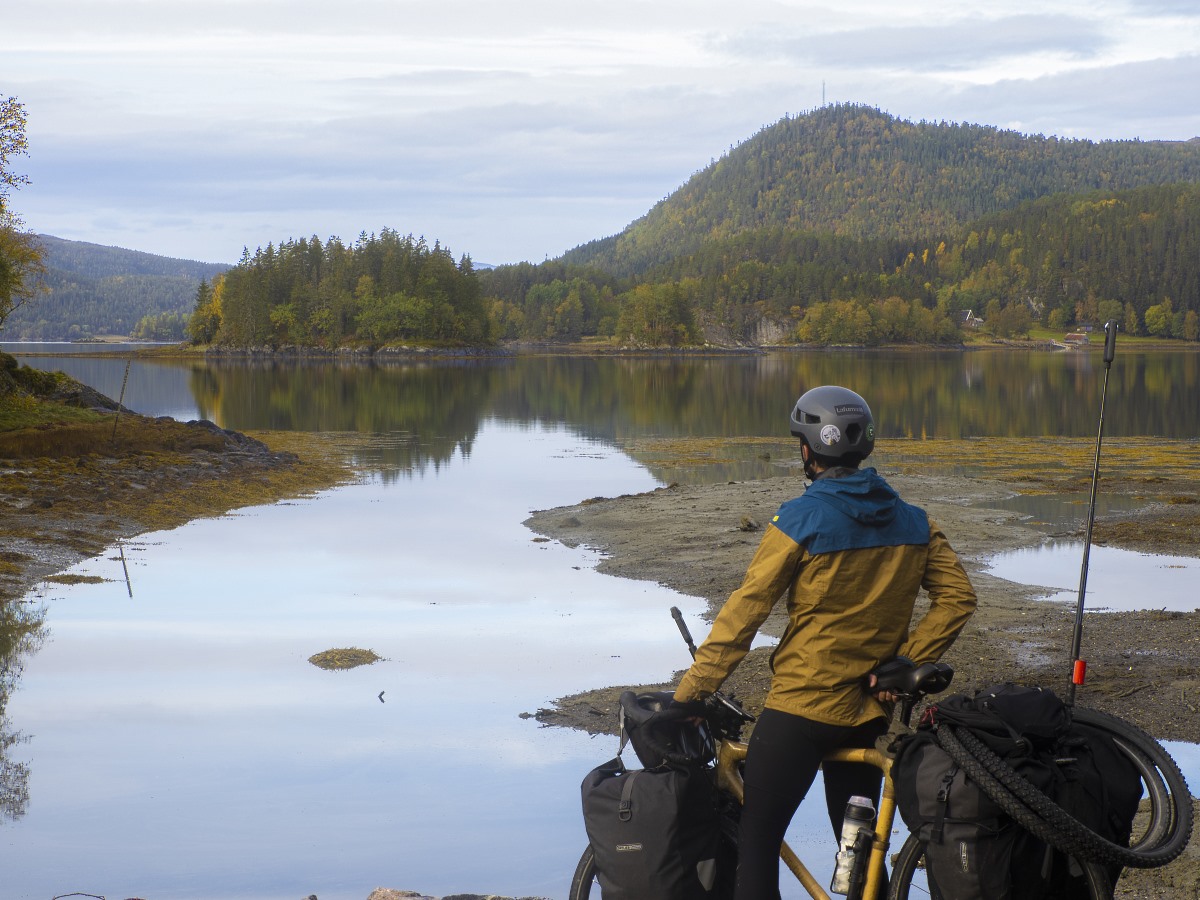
x=851 y=557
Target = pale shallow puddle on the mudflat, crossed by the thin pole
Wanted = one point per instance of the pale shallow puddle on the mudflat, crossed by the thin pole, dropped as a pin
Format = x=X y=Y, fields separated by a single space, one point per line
x=1118 y=580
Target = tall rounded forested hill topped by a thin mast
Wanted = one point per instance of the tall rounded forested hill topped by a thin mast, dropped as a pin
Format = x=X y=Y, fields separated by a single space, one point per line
x=860 y=173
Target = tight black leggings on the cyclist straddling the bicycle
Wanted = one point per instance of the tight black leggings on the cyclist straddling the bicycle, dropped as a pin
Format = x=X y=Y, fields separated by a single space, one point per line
x=785 y=755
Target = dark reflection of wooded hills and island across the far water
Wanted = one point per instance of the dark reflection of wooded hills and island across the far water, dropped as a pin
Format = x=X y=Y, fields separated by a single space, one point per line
x=935 y=394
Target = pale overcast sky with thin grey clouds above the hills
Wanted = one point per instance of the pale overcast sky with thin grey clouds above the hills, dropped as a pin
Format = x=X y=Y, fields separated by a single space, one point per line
x=519 y=130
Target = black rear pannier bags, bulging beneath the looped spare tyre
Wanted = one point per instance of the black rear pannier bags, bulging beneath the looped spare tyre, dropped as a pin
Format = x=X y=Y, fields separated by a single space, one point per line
x=974 y=851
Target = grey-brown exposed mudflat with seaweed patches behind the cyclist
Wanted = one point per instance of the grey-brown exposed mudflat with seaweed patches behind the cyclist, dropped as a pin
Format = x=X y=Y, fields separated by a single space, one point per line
x=704 y=547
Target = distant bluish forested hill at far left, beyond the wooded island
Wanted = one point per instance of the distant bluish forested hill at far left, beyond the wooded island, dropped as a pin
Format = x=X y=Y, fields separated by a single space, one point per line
x=109 y=291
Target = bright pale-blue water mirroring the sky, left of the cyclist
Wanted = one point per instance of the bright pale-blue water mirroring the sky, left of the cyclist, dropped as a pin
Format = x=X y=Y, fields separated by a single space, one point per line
x=184 y=747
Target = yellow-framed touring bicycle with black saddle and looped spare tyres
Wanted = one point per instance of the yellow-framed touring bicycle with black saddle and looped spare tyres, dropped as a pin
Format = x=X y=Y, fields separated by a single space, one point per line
x=1167 y=832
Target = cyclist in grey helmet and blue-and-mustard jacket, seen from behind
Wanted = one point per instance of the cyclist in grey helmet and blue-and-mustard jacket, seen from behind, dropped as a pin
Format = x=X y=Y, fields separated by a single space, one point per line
x=851 y=557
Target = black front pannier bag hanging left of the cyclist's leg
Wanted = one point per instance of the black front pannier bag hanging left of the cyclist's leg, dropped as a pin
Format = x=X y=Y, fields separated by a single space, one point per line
x=655 y=832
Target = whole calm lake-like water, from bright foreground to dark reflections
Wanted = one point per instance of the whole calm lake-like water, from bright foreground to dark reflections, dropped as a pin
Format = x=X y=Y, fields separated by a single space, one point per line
x=178 y=743
